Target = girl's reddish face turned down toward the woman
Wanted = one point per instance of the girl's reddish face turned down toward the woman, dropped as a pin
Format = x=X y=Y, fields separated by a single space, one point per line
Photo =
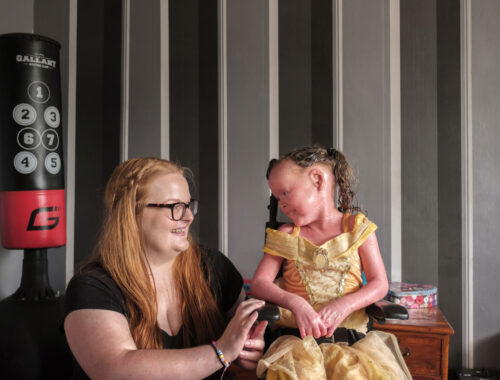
x=294 y=188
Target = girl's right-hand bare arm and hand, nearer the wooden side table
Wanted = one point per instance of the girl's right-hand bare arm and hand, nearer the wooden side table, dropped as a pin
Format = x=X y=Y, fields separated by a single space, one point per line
x=375 y=289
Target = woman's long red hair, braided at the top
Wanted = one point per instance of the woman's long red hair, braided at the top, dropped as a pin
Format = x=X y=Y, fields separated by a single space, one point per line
x=120 y=251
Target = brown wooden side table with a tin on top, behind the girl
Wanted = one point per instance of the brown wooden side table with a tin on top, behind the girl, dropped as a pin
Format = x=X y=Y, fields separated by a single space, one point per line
x=424 y=342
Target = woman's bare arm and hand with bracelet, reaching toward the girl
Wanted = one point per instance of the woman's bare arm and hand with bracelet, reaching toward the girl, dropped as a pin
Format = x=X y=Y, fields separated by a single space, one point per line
x=103 y=346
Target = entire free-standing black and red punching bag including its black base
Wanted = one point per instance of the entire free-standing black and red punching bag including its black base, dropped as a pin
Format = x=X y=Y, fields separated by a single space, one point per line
x=32 y=205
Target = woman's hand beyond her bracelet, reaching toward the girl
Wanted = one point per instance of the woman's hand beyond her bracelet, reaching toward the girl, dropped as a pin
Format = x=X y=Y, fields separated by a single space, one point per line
x=237 y=331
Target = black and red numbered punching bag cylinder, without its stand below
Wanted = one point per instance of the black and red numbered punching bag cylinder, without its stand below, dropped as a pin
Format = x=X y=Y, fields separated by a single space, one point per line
x=32 y=199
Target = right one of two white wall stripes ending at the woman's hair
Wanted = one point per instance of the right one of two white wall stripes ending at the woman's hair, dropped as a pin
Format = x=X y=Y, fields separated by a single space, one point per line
x=164 y=81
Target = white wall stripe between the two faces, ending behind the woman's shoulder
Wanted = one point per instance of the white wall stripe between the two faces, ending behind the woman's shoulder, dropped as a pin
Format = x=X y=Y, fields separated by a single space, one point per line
x=223 y=171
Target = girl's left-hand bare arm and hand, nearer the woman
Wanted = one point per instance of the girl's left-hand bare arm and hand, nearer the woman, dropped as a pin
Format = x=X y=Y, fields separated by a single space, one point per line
x=263 y=286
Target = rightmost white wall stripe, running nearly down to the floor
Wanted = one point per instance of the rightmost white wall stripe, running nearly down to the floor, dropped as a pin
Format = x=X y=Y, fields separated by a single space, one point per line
x=467 y=189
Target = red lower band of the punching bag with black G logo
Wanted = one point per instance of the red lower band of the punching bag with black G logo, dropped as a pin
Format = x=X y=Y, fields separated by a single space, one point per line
x=33 y=219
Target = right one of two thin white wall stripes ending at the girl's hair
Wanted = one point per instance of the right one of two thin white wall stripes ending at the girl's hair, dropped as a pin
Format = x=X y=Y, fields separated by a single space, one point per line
x=338 y=75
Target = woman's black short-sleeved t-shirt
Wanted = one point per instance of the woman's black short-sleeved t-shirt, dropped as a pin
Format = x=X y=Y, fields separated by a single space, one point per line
x=95 y=289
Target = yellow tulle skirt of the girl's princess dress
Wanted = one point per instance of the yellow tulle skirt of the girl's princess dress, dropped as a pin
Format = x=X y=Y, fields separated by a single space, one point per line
x=377 y=356
